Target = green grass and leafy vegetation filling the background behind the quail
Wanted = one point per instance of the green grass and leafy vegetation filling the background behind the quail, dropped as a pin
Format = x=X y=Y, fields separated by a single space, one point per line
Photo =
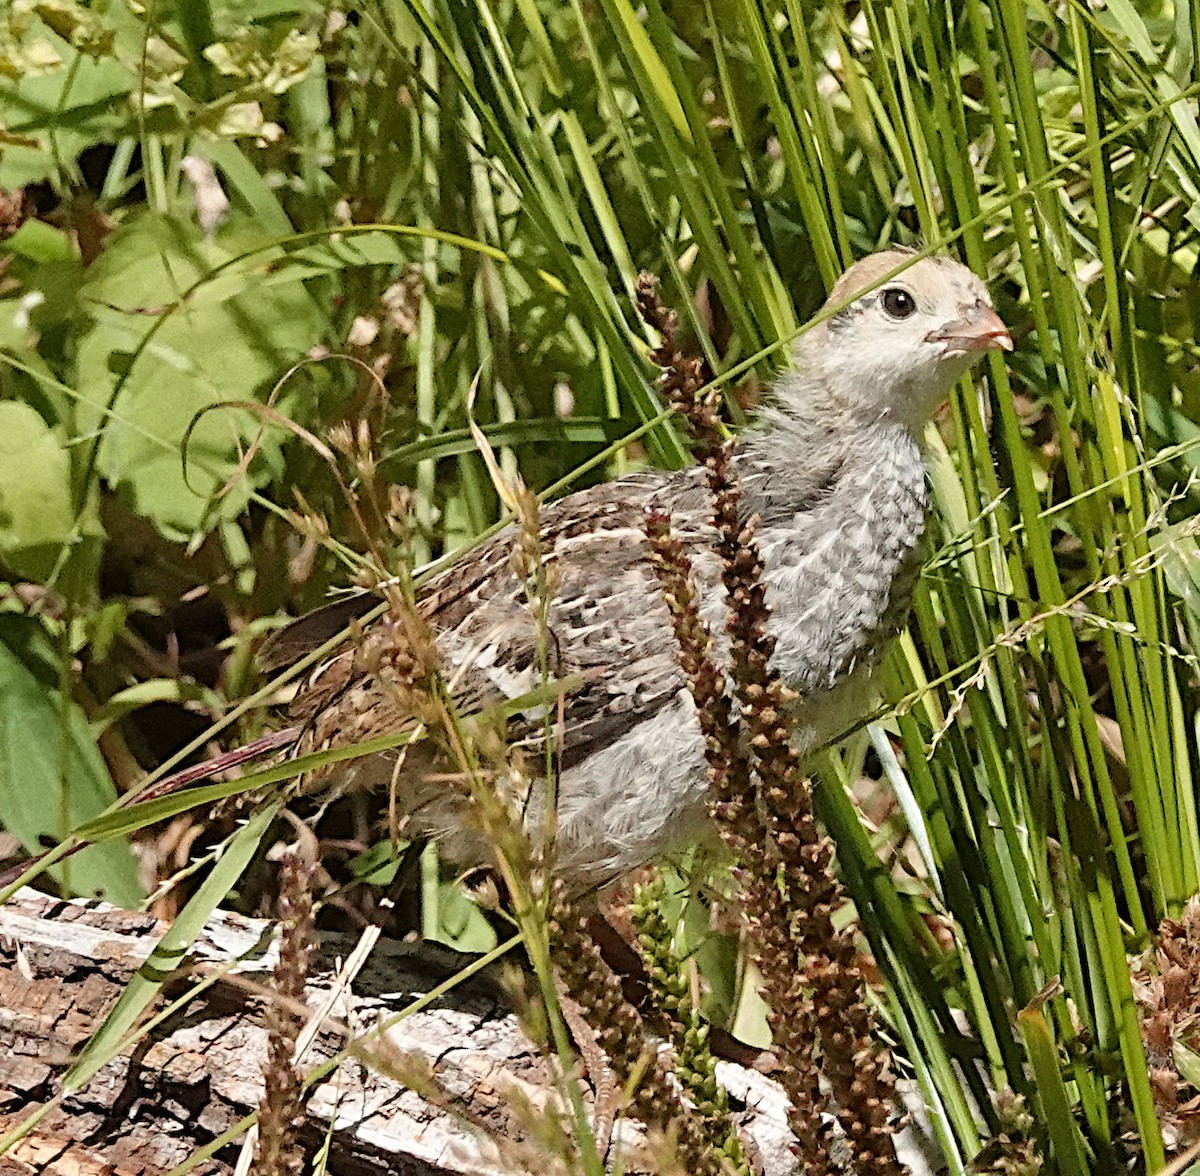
x=1023 y=817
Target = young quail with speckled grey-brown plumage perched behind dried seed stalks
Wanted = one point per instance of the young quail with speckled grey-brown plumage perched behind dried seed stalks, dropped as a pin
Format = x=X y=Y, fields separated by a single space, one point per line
x=833 y=470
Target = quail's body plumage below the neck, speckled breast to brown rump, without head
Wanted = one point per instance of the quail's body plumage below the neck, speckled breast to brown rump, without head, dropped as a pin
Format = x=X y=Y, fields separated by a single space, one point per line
x=839 y=542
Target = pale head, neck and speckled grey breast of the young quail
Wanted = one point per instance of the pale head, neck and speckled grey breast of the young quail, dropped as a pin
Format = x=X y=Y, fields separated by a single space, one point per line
x=835 y=469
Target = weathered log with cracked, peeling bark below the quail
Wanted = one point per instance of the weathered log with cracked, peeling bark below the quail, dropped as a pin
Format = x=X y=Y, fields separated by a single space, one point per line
x=63 y=965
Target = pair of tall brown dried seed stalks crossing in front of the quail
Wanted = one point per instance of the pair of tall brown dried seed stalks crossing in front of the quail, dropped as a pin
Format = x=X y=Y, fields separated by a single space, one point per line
x=812 y=971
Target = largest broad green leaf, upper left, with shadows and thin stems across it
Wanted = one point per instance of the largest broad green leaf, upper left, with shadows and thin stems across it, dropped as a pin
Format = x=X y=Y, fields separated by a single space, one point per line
x=148 y=365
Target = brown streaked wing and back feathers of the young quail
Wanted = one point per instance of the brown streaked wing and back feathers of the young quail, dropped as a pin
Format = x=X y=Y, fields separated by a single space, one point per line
x=608 y=625
